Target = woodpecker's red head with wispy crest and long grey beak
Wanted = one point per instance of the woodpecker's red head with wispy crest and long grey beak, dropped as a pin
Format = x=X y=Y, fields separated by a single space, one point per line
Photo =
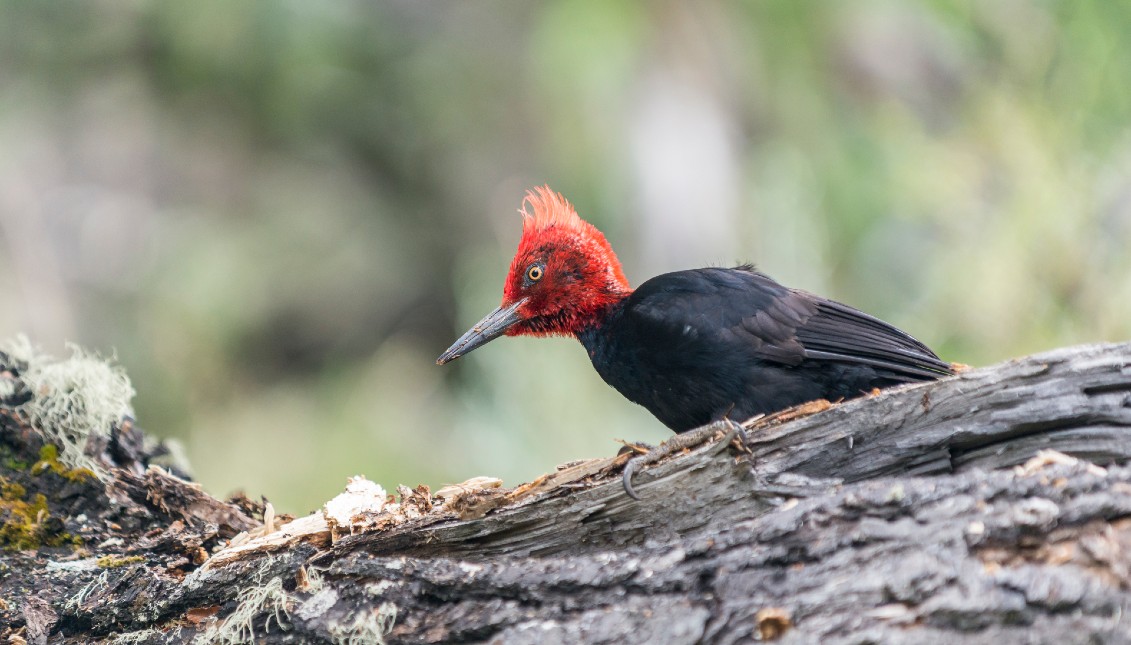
x=564 y=277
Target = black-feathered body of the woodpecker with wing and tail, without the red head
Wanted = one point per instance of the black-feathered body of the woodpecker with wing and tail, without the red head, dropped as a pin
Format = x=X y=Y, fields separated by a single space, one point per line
x=694 y=347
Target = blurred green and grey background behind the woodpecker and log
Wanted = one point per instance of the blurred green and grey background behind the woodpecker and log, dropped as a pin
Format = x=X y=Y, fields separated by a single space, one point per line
x=279 y=214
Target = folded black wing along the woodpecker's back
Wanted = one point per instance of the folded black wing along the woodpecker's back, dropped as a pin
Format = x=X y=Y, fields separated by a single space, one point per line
x=746 y=312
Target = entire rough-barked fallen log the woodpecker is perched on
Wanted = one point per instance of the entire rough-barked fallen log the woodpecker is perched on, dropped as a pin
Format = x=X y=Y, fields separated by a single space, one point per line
x=989 y=508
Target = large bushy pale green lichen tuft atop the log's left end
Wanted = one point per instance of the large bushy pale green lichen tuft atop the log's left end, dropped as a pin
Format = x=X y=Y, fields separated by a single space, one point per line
x=73 y=399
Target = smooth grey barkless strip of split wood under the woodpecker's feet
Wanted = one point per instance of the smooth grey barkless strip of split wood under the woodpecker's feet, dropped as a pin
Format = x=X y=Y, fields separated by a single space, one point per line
x=1076 y=401
